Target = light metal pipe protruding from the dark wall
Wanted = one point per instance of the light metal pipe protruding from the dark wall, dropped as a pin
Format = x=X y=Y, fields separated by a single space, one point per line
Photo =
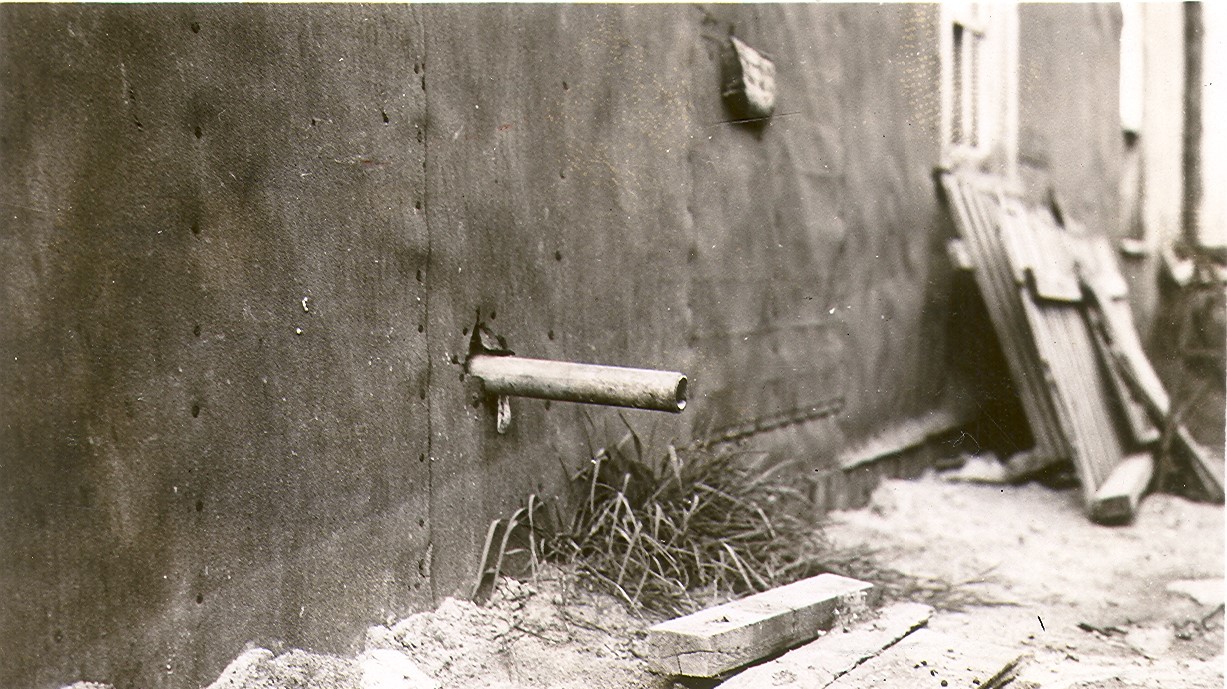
x=591 y=384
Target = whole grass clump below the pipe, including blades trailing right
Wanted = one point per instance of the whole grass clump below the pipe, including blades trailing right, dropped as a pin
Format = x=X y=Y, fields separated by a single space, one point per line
x=694 y=528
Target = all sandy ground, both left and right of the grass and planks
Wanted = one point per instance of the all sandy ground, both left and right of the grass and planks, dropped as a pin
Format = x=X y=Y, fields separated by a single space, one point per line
x=1095 y=607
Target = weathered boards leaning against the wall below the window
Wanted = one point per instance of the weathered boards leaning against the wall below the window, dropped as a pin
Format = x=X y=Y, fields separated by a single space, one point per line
x=1060 y=307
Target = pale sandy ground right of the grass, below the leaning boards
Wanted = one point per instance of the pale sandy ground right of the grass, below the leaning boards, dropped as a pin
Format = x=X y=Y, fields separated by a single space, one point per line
x=1031 y=550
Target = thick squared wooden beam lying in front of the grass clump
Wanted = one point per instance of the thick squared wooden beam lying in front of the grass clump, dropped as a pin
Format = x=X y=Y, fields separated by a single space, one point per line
x=723 y=638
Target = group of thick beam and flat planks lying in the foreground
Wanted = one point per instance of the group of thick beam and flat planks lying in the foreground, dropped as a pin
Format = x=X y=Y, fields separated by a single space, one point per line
x=837 y=642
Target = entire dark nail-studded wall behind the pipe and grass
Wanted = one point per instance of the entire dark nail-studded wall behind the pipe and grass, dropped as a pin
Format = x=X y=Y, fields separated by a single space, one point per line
x=201 y=458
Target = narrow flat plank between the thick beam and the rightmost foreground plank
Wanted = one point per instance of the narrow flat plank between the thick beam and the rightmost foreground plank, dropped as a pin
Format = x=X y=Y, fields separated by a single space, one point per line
x=835 y=654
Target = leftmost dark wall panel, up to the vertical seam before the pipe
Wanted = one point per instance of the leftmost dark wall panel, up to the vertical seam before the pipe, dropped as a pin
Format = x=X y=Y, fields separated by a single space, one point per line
x=182 y=469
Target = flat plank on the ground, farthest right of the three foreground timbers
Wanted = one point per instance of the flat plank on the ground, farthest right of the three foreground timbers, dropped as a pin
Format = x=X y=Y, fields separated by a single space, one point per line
x=929 y=659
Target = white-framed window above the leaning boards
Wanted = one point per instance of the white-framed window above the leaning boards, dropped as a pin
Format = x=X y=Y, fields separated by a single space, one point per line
x=980 y=85
